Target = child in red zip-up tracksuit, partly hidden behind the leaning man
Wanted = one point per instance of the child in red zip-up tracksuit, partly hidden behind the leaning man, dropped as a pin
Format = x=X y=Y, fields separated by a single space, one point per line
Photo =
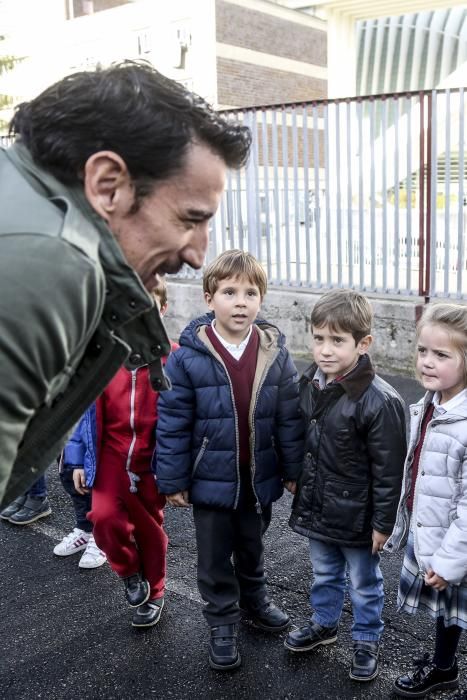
x=112 y=450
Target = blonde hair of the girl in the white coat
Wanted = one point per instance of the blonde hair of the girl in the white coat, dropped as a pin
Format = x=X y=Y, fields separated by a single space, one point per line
x=453 y=319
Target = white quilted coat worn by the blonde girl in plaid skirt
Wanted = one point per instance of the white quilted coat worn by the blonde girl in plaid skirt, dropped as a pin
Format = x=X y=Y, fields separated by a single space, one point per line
x=440 y=503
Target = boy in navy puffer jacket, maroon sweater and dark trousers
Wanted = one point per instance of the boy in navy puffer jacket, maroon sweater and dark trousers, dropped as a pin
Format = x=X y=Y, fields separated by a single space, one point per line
x=229 y=438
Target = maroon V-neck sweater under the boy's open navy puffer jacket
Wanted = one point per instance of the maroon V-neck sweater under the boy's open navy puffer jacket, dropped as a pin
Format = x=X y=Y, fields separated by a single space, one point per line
x=241 y=373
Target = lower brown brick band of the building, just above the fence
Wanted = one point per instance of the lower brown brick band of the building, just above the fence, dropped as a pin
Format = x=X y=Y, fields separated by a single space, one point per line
x=242 y=84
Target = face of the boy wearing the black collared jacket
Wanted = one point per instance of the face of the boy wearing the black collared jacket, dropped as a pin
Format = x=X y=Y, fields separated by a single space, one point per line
x=336 y=352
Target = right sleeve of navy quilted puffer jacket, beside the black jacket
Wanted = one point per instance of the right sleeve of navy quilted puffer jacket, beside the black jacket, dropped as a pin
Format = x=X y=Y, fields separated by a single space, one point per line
x=289 y=422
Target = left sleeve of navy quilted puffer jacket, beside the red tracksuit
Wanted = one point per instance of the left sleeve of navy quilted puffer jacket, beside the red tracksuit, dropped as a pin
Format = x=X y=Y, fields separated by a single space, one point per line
x=174 y=429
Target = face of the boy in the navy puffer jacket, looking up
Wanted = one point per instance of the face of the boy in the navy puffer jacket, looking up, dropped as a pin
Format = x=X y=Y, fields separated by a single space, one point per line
x=235 y=303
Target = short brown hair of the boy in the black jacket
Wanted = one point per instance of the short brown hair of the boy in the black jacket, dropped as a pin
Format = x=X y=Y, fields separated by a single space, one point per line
x=344 y=310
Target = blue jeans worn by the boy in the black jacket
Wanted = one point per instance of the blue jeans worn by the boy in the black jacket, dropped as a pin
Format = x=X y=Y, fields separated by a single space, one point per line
x=365 y=584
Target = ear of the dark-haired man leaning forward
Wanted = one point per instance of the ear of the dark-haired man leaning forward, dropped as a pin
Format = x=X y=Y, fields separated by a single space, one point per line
x=107 y=184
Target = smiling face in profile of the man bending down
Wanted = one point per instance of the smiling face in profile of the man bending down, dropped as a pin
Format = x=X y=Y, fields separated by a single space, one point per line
x=170 y=227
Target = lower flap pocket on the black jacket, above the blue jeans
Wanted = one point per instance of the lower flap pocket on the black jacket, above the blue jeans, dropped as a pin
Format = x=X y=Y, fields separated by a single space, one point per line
x=345 y=505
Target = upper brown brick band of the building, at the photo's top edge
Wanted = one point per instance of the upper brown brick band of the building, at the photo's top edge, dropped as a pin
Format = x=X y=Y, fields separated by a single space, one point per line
x=259 y=31
